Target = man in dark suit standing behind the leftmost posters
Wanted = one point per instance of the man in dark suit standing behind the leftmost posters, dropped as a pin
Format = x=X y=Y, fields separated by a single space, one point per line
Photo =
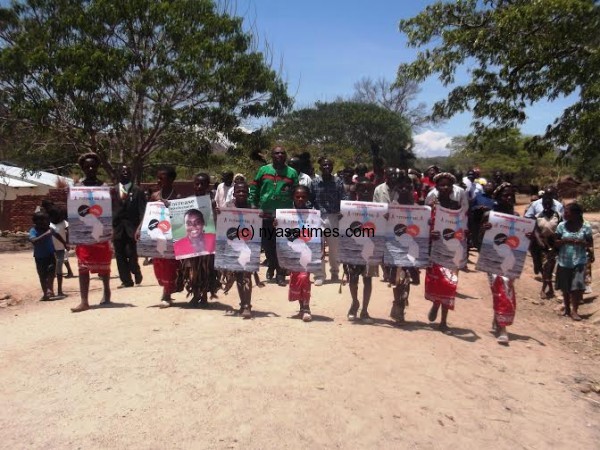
x=129 y=205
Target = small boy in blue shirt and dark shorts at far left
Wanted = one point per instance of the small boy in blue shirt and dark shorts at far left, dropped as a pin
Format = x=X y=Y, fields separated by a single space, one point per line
x=43 y=252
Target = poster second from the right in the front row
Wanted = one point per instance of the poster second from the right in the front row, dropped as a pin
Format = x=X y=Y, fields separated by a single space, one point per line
x=450 y=250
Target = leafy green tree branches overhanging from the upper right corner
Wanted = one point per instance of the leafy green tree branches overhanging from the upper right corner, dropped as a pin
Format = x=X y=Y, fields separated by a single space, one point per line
x=521 y=52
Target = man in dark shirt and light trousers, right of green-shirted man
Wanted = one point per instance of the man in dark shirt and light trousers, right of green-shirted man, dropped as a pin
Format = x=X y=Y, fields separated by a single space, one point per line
x=327 y=191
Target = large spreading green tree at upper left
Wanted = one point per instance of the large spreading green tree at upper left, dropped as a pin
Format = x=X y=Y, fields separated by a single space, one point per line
x=127 y=79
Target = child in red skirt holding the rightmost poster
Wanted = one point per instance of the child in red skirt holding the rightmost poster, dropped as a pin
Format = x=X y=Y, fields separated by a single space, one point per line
x=503 y=288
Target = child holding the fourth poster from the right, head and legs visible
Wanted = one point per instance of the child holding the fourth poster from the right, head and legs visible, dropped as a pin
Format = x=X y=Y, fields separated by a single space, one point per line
x=364 y=193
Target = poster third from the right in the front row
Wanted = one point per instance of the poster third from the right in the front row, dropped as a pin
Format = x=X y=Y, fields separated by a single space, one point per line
x=407 y=236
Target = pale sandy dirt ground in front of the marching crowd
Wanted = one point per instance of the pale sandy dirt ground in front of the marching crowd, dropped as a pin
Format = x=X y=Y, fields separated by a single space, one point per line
x=136 y=376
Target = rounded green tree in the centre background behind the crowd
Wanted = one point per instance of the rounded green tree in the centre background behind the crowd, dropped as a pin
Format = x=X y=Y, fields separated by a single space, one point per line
x=341 y=128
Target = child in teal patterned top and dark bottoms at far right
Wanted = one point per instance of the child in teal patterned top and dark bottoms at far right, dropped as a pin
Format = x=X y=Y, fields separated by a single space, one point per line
x=573 y=238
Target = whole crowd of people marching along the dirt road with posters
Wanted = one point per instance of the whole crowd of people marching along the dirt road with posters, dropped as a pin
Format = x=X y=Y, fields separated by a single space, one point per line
x=561 y=236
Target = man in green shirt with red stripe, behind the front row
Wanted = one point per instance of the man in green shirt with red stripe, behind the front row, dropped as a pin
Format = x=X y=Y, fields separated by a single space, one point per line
x=271 y=189
